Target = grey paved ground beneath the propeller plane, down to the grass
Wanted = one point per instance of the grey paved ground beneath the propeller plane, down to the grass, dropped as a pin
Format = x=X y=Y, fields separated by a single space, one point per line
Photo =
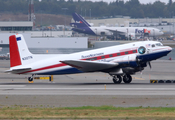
x=94 y=89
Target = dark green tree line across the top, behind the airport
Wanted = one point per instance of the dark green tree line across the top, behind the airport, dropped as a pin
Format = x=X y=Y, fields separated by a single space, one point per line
x=132 y=8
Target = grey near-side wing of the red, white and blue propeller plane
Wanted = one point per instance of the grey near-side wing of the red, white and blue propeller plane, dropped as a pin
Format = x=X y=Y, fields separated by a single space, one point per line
x=89 y=66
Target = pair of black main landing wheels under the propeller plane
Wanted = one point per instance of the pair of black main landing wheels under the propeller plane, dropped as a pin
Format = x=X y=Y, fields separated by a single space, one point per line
x=117 y=79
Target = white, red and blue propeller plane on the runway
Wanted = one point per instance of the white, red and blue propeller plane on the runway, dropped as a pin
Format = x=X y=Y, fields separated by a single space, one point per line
x=120 y=61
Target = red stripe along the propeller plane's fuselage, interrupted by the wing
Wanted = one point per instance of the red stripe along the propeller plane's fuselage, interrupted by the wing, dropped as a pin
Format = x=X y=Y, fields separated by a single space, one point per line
x=97 y=58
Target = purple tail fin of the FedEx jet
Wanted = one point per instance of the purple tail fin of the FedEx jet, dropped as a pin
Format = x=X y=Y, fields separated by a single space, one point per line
x=79 y=21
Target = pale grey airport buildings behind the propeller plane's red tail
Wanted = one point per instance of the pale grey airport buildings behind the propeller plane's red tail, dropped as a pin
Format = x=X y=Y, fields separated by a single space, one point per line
x=40 y=41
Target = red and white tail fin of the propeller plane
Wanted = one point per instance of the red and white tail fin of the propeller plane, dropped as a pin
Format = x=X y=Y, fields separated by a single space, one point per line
x=19 y=53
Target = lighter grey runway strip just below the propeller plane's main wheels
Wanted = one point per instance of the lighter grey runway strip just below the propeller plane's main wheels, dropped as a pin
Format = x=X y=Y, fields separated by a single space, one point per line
x=86 y=89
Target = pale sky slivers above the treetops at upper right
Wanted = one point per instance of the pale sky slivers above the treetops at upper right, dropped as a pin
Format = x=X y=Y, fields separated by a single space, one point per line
x=141 y=1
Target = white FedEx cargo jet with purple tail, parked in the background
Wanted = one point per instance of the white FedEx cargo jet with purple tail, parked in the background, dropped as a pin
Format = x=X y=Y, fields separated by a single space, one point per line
x=82 y=26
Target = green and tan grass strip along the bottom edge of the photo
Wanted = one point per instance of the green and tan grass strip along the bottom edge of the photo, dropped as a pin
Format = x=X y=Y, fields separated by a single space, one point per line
x=87 y=112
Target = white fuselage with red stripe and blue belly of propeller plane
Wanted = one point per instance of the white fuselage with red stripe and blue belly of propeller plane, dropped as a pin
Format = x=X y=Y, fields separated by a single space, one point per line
x=50 y=64
